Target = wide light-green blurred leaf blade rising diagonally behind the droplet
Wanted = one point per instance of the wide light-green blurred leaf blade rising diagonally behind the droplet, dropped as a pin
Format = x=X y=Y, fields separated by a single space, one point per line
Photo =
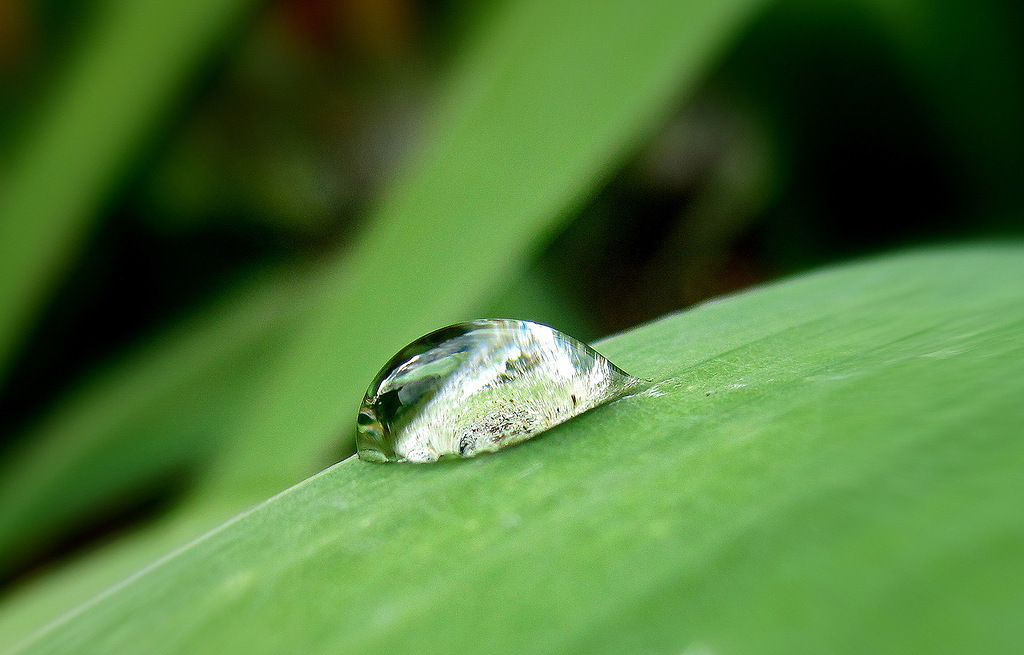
x=548 y=101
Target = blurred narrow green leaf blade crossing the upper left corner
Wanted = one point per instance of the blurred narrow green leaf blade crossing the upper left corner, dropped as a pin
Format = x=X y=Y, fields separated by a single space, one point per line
x=117 y=89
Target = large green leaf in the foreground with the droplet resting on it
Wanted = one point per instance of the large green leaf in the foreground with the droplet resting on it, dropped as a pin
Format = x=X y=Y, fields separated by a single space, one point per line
x=831 y=464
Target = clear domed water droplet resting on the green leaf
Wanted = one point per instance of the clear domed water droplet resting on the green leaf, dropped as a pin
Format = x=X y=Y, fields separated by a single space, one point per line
x=480 y=387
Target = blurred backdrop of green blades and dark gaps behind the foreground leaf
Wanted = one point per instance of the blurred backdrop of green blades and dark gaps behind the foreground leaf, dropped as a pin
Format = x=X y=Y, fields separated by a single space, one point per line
x=218 y=219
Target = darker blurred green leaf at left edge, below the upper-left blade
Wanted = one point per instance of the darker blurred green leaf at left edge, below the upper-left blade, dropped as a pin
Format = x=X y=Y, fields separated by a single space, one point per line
x=161 y=410
